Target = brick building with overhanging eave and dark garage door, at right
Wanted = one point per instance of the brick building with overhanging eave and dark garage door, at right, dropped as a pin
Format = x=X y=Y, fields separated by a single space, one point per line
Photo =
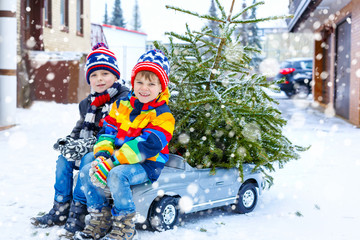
x=336 y=75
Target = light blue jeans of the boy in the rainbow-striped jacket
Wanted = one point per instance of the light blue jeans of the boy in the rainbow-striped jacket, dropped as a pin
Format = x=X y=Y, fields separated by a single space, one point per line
x=119 y=180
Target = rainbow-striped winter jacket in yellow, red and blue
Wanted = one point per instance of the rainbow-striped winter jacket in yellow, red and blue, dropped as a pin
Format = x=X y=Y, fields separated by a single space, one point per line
x=138 y=133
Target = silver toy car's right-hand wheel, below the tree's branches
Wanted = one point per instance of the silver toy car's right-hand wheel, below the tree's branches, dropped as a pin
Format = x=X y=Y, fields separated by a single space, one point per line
x=246 y=199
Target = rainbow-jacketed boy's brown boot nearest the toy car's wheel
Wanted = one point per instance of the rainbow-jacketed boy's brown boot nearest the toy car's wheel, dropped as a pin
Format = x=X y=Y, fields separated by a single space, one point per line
x=123 y=228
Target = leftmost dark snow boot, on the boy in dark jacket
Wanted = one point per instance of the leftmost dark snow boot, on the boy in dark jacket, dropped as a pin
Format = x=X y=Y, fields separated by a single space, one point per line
x=56 y=216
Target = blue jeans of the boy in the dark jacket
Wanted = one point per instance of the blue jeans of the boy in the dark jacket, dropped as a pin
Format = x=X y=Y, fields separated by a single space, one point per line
x=64 y=179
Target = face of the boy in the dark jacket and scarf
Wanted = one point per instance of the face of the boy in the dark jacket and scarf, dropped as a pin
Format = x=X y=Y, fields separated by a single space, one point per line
x=101 y=80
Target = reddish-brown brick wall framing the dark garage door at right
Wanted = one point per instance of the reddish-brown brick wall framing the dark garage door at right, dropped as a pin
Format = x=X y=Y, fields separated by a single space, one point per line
x=353 y=10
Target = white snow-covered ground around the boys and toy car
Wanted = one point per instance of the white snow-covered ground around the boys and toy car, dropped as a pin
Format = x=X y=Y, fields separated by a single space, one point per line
x=315 y=197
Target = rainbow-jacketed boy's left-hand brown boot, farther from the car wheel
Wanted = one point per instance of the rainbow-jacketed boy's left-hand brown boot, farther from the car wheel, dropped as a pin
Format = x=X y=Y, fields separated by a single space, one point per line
x=99 y=225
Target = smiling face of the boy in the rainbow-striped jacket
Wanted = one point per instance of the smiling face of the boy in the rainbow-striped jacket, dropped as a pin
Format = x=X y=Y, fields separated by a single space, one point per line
x=146 y=89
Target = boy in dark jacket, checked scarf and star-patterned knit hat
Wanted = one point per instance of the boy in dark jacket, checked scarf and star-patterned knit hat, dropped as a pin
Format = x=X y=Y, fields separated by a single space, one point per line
x=102 y=73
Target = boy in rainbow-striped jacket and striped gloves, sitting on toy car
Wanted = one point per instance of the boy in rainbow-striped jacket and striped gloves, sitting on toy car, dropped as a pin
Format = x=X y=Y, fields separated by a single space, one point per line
x=132 y=150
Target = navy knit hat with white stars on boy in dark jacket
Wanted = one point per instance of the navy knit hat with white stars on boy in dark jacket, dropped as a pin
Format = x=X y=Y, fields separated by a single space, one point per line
x=101 y=58
